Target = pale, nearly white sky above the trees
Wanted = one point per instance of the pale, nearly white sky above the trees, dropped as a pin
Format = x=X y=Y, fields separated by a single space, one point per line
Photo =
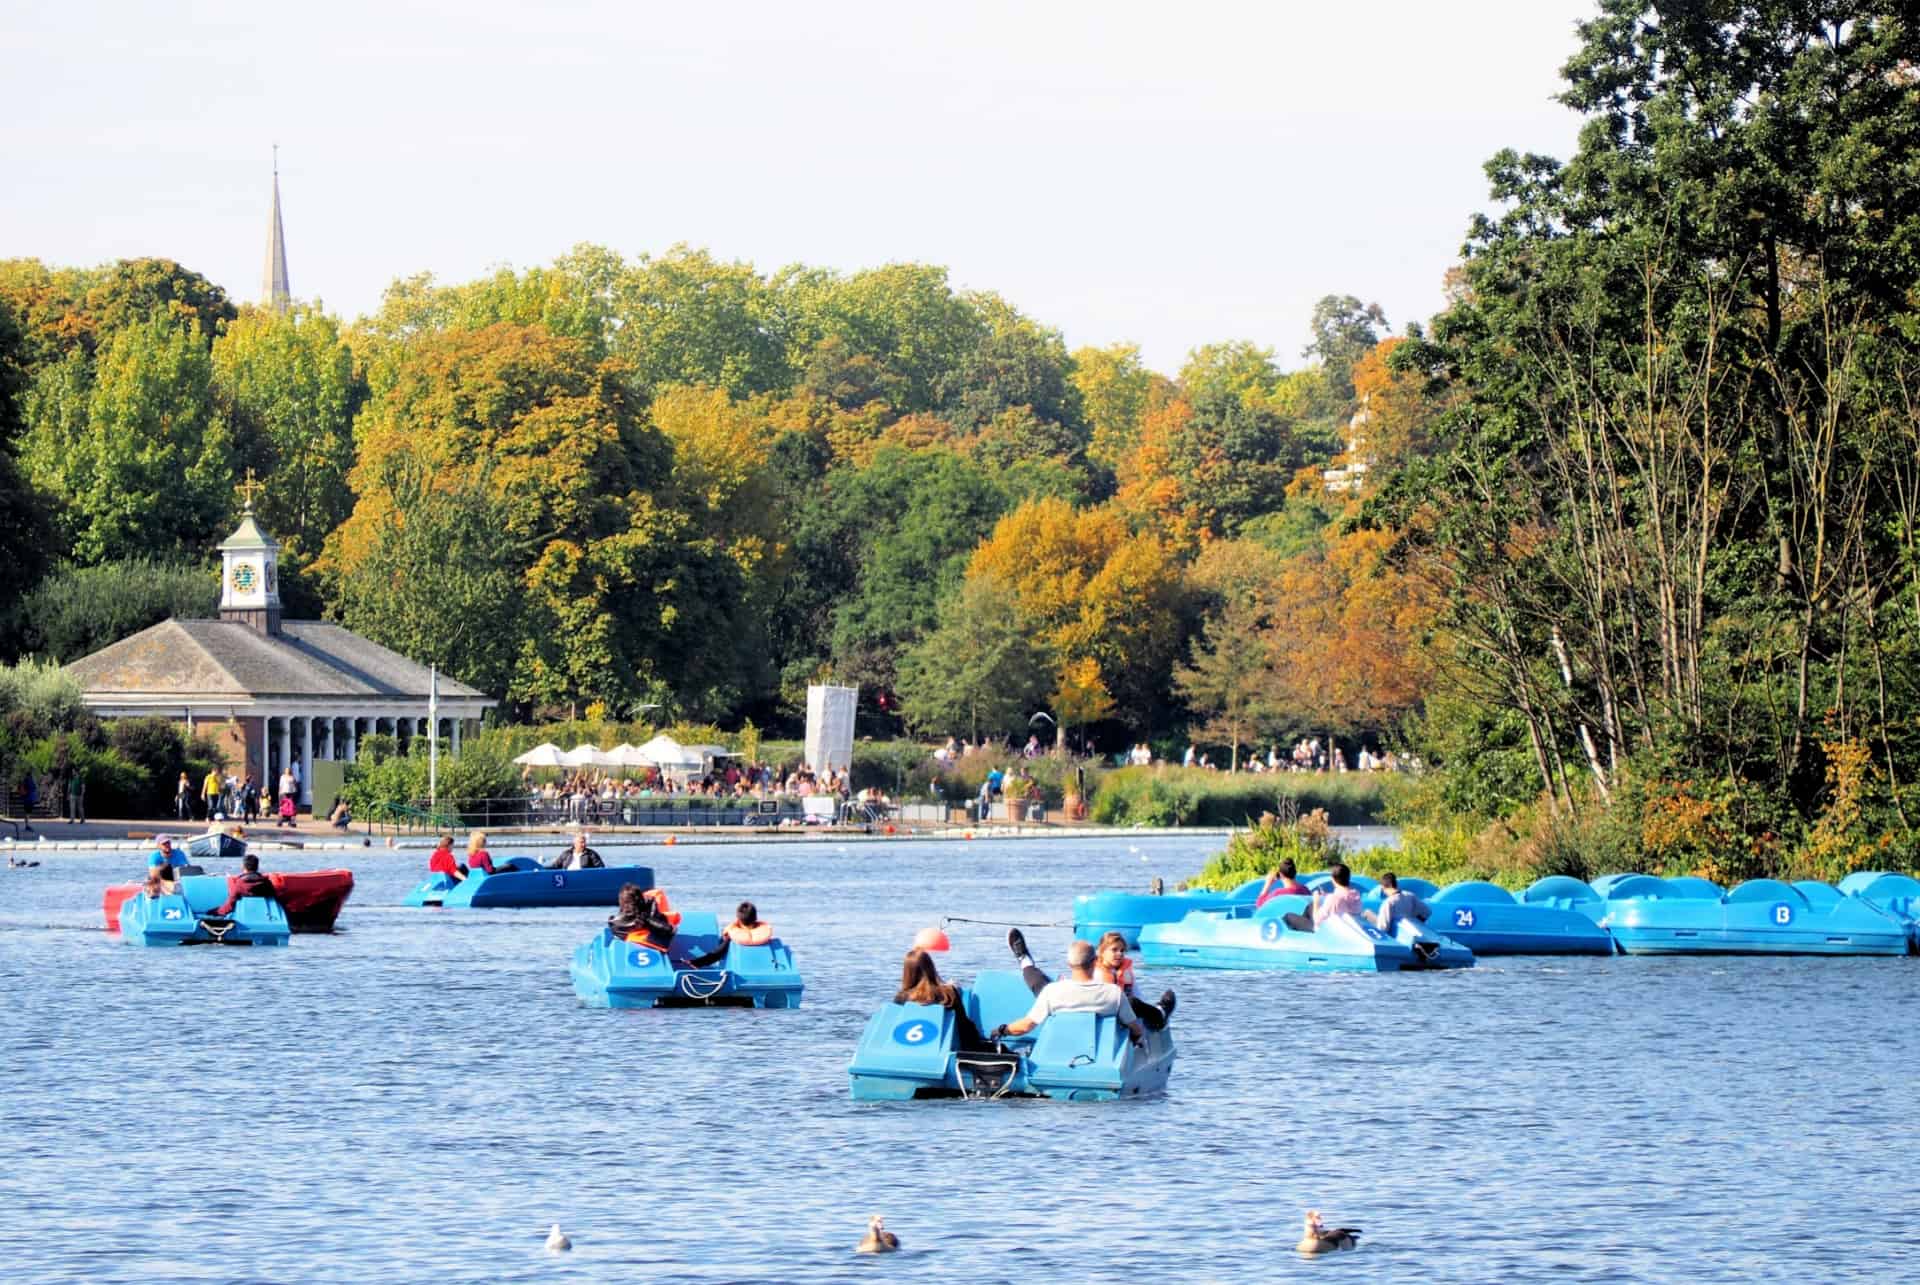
x=1161 y=174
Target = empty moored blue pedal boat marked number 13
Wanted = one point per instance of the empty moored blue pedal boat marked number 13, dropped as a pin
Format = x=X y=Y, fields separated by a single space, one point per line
x=1650 y=915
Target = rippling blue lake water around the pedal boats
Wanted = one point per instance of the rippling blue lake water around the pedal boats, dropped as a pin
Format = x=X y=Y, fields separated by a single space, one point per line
x=420 y=1098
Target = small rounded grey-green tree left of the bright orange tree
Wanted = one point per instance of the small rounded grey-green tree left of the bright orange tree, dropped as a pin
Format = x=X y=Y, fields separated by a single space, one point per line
x=982 y=669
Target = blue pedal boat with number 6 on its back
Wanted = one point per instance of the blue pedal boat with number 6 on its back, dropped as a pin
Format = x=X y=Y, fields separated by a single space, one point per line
x=909 y=1052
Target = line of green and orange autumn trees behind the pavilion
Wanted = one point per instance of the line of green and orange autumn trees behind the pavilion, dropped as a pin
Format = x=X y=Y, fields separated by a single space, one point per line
x=681 y=483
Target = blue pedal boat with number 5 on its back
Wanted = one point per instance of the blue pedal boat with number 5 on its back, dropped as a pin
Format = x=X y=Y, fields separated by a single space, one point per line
x=613 y=973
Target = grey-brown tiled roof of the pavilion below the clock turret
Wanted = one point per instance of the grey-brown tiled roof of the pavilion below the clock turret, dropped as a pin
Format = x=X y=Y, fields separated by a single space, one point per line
x=229 y=658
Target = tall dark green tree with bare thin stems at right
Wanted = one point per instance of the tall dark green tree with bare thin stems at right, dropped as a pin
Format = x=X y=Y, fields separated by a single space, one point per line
x=1679 y=449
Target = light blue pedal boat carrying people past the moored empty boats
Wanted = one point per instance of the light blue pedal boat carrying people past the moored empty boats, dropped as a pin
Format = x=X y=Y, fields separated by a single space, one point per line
x=1247 y=938
